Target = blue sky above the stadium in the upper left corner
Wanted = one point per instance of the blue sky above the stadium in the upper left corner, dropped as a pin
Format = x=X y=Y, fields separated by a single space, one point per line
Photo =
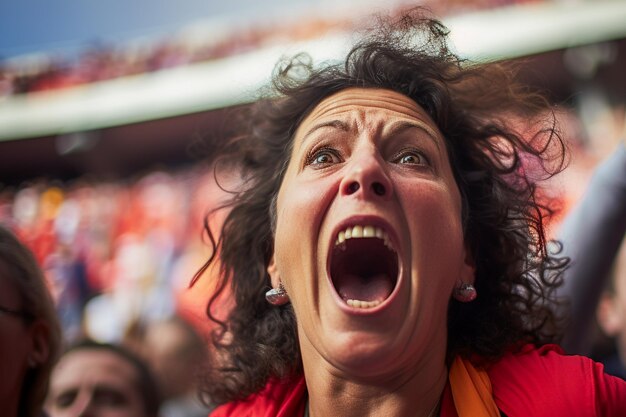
x=67 y=26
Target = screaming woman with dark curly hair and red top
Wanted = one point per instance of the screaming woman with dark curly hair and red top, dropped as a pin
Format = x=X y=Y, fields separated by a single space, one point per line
x=390 y=218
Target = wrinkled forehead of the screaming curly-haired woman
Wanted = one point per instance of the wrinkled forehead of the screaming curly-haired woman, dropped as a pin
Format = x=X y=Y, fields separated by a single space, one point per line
x=368 y=107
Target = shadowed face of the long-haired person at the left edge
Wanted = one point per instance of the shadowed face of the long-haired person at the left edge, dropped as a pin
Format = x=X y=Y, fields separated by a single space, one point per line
x=15 y=343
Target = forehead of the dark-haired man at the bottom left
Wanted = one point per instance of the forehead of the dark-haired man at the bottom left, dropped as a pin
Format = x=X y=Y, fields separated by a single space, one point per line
x=91 y=366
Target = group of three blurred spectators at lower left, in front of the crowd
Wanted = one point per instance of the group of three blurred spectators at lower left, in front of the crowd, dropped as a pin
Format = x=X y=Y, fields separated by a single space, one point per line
x=156 y=374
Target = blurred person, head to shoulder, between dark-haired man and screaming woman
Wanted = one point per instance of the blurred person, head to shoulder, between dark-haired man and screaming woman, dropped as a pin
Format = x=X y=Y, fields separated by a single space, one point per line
x=176 y=353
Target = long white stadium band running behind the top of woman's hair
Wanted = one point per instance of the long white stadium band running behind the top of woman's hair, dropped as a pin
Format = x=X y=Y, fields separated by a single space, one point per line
x=521 y=30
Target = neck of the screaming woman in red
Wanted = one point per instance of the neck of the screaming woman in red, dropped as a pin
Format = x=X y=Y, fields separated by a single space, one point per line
x=411 y=392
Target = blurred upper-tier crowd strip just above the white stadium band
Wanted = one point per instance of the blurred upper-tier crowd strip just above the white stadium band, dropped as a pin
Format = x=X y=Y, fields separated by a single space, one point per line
x=100 y=62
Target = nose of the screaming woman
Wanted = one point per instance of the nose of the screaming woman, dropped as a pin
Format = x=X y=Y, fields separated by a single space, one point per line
x=367 y=176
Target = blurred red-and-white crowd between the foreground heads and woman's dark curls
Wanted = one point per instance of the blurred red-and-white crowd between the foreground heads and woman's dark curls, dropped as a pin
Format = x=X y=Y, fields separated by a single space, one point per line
x=117 y=253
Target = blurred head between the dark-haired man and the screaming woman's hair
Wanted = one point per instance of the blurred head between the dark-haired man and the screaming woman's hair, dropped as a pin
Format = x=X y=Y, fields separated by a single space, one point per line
x=175 y=352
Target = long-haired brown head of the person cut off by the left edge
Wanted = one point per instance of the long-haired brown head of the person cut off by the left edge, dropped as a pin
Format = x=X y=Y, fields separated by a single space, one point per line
x=30 y=335
